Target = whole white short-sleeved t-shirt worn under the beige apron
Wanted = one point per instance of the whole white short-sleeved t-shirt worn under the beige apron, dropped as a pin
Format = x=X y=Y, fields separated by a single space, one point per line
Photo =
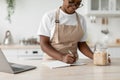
x=47 y=24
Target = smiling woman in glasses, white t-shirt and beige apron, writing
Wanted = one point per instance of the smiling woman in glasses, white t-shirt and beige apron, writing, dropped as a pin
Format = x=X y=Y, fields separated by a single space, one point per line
x=62 y=31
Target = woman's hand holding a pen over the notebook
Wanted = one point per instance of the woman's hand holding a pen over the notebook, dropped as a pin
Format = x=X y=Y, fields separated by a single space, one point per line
x=69 y=58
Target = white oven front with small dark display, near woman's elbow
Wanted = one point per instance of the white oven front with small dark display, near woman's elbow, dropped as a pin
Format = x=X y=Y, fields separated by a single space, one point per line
x=30 y=54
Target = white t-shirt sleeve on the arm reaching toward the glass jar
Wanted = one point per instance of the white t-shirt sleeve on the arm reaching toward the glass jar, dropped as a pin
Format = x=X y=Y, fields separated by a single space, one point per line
x=84 y=27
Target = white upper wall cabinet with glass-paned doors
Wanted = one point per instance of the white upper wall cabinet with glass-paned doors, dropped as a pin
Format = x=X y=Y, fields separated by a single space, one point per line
x=104 y=7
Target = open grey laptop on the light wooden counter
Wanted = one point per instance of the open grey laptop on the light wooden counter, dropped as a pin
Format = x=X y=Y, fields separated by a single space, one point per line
x=13 y=68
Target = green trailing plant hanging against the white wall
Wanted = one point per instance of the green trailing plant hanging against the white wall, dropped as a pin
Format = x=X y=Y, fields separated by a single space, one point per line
x=10 y=9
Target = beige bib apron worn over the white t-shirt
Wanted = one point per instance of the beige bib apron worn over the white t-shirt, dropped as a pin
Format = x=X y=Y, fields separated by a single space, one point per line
x=66 y=37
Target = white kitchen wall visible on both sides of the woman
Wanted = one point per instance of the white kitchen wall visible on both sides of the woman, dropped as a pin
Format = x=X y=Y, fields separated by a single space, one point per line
x=28 y=14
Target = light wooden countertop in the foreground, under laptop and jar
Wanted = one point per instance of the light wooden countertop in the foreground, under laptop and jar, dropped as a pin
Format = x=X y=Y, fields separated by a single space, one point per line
x=84 y=72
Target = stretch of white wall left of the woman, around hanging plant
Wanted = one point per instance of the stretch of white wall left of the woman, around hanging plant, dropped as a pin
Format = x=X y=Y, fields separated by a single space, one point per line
x=26 y=18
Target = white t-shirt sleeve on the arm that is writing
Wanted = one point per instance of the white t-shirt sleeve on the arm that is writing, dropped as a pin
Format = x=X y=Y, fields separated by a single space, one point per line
x=44 y=27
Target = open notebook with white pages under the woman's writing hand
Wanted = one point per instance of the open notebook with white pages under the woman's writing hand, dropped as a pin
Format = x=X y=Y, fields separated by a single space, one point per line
x=57 y=64
